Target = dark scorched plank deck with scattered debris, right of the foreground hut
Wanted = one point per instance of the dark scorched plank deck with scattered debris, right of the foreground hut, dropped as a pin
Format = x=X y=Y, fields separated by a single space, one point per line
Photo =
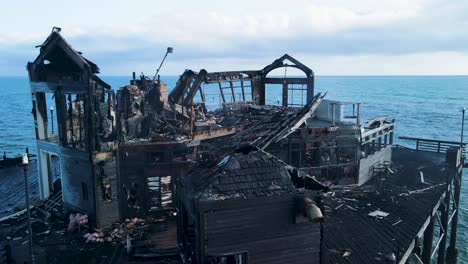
x=352 y=236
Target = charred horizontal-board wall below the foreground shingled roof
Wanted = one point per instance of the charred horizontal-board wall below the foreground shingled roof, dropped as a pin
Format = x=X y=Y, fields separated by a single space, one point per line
x=265 y=229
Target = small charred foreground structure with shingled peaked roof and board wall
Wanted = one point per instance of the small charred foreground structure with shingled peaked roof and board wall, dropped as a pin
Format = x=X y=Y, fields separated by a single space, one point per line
x=245 y=207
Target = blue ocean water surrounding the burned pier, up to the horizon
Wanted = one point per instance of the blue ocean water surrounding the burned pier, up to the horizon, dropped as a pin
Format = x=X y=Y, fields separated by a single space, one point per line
x=423 y=106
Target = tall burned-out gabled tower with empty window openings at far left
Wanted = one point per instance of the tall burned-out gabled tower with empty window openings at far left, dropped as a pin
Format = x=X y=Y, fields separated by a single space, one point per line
x=62 y=79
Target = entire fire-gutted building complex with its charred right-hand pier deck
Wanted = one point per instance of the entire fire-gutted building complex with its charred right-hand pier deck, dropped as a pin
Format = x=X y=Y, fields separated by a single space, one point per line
x=228 y=174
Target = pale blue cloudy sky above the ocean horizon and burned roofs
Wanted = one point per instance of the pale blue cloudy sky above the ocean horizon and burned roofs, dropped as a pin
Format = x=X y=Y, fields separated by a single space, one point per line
x=333 y=37
